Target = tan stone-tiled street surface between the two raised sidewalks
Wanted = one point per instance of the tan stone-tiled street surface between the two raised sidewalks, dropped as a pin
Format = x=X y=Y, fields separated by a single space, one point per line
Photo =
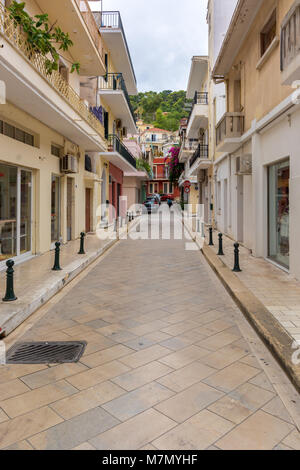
x=166 y=366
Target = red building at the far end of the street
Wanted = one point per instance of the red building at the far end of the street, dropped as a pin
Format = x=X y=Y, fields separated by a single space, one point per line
x=160 y=183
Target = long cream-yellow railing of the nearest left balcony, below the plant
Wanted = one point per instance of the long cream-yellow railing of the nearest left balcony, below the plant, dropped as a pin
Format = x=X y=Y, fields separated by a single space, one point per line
x=13 y=33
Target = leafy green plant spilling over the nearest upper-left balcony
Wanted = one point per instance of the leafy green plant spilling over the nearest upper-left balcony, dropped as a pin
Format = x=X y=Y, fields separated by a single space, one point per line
x=44 y=38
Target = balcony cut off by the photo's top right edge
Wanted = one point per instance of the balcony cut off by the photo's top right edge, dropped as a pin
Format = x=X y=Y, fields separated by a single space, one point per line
x=290 y=46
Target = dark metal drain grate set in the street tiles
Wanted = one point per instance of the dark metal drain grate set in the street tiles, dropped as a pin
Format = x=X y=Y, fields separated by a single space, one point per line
x=45 y=352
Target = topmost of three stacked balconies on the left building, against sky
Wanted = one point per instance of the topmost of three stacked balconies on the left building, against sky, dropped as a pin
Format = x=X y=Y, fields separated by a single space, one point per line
x=112 y=31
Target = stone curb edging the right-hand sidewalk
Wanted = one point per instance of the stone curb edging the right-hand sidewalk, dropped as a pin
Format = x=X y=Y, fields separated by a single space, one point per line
x=275 y=337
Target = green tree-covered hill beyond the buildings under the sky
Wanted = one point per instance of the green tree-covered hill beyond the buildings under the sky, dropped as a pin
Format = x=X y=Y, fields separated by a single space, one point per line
x=151 y=106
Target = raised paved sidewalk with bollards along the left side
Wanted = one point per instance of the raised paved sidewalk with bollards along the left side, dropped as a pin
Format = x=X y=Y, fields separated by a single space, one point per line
x=35 y=282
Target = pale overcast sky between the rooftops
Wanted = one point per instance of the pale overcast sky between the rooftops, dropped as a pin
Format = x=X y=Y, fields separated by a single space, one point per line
x=163 y=35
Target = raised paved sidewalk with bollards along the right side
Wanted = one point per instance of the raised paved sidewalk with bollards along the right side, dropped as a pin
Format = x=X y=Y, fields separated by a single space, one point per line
x=268 y=297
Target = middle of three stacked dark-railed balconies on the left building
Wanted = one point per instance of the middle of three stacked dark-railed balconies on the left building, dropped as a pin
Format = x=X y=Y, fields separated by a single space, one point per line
x=113 y=90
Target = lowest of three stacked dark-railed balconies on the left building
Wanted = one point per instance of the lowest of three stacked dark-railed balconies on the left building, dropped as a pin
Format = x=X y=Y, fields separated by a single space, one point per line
x=119 y=155
